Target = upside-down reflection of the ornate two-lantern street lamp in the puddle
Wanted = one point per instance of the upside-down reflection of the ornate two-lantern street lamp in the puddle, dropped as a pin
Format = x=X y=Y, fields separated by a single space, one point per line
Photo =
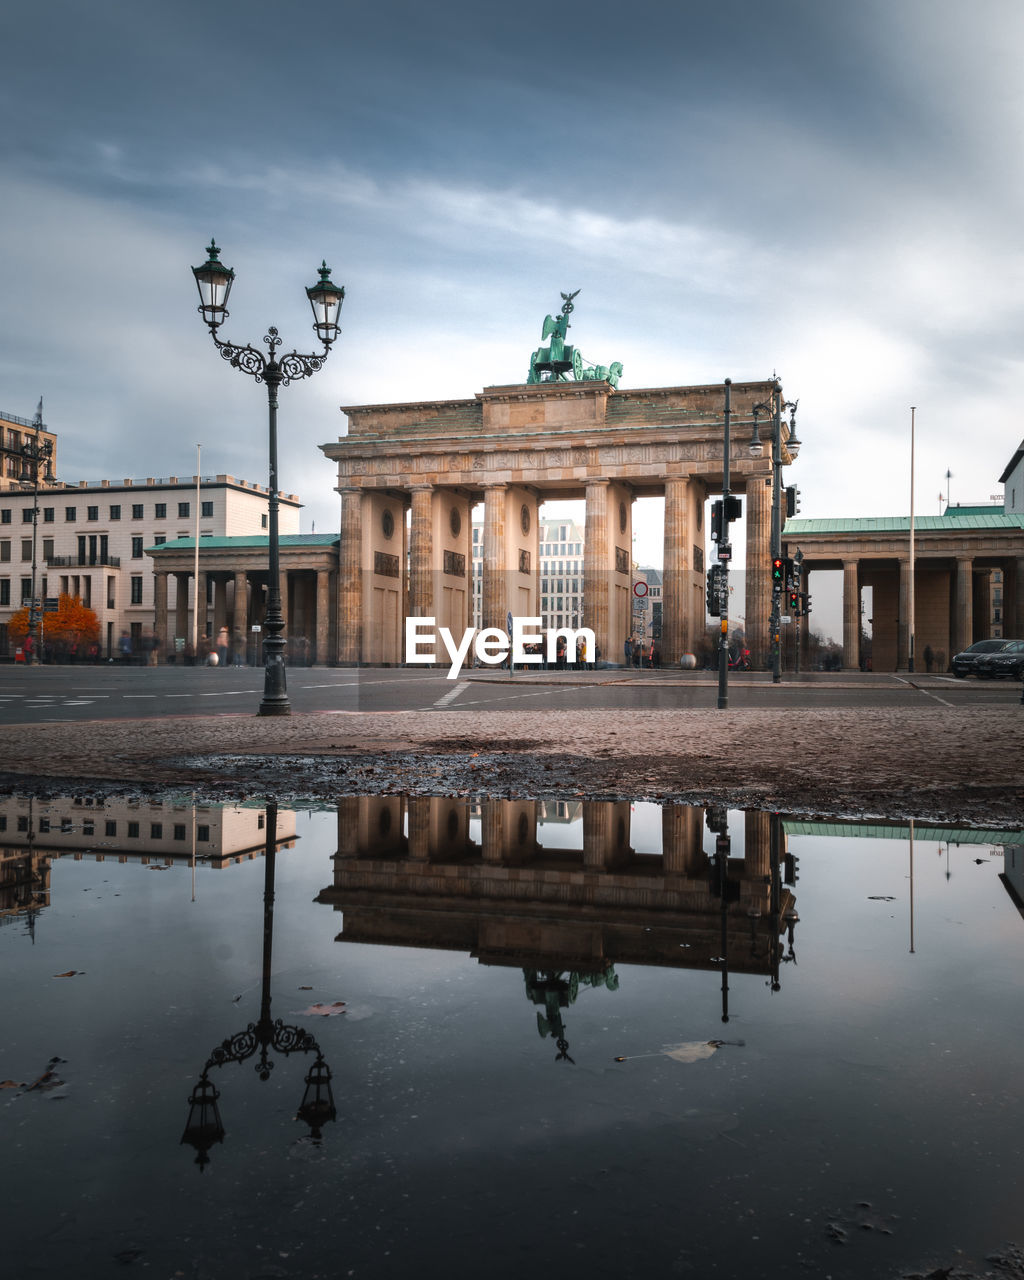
x=204 y=1126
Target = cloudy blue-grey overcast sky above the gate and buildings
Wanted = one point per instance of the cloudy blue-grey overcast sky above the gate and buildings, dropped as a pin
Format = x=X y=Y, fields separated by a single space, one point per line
x=829 y=191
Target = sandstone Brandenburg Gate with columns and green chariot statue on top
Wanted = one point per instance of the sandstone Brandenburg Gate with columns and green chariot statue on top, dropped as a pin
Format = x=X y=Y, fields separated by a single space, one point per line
x=515 y=447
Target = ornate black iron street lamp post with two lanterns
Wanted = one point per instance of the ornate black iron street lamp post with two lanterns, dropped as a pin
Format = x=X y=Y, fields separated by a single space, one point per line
x=214 y=282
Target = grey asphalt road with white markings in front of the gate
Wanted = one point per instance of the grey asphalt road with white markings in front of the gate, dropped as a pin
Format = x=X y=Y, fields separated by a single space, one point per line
x=70 y=694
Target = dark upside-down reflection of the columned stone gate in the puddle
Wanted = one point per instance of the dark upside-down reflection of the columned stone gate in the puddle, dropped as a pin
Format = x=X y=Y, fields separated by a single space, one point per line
x=409 y=874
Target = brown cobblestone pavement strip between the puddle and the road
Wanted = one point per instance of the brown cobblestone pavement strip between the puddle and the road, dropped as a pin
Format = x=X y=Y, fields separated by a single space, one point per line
x=932 y=762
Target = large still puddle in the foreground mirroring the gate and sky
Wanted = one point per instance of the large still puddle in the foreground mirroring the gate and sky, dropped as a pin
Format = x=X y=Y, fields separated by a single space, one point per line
x=616 y=1036
